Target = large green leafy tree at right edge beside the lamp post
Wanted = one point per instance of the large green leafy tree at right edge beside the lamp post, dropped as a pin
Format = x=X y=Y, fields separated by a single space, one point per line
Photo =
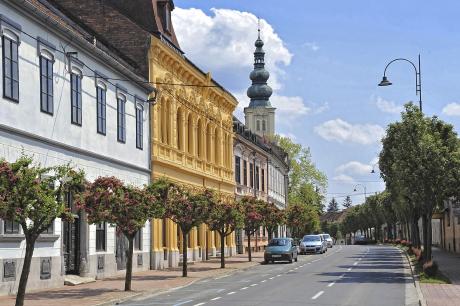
x=420 y=162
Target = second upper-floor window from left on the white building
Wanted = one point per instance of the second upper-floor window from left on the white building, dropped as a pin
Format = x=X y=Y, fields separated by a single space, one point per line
x=46 y=85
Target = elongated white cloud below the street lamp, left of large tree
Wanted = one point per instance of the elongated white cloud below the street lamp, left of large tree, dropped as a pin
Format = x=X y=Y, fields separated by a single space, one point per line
x=342 y=131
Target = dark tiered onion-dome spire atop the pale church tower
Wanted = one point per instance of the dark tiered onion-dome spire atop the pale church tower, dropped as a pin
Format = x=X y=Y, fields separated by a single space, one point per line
x=259 y=92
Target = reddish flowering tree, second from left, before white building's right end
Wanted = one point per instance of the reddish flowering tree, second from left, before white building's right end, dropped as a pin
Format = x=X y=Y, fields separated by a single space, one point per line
x=107 y=199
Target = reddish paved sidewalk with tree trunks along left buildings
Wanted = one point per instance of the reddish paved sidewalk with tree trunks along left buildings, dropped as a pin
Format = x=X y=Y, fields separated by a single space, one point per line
x=143 y=283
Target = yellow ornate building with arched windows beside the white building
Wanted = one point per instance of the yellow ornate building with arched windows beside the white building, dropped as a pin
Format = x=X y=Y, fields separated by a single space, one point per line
x=192 y=139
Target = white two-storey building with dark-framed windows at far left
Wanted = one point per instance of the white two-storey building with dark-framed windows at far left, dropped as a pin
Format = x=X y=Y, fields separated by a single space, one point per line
x=62 y=108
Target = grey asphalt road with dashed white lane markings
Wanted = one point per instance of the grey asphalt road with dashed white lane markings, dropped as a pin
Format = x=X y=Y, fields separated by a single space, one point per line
x=345 y=275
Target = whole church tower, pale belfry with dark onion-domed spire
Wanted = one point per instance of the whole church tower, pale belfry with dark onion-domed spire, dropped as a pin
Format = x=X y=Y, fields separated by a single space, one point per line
x=260 y=115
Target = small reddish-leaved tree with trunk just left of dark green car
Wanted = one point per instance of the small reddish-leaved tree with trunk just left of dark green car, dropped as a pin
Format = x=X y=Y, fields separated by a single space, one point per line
x=252 y=217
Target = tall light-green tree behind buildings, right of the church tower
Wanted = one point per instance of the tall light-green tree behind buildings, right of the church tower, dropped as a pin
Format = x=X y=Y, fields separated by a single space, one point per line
x=306 y=183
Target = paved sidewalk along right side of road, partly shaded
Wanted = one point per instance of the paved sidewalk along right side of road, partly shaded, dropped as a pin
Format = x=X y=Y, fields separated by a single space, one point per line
x=444 y=294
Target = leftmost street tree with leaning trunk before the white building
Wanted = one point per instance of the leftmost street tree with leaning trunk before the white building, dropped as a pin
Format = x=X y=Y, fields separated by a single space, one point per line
x=33 y=196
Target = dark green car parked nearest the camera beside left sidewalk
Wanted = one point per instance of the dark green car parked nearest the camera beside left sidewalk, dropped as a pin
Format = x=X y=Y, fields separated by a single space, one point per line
x=281 y=249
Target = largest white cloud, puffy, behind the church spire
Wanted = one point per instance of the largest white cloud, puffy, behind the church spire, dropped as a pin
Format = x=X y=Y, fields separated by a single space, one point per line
x=225 y=40
